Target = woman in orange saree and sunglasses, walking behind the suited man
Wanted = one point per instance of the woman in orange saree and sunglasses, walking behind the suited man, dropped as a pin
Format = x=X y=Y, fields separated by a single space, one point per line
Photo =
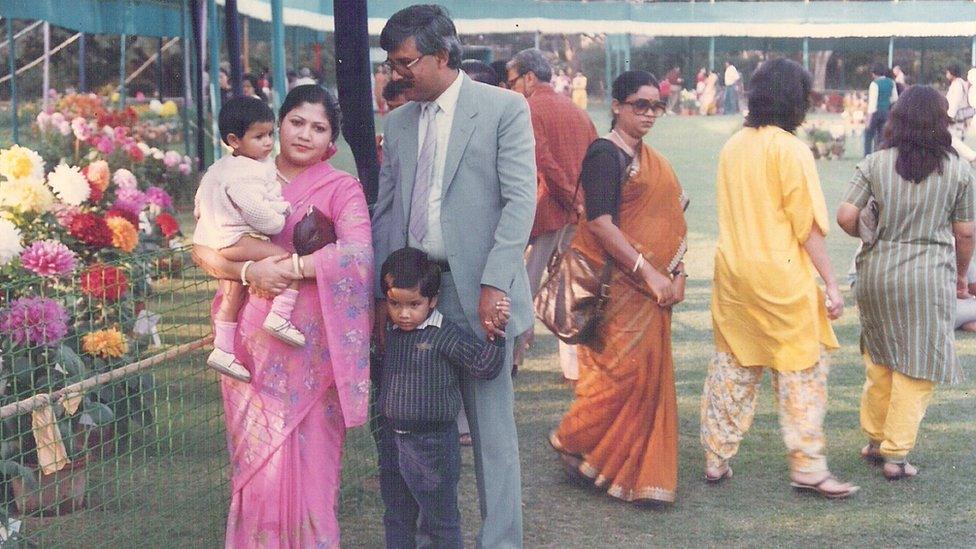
x=622 y=430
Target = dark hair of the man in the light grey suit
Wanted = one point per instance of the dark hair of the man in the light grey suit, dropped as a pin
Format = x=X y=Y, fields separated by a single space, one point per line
x=429 y=25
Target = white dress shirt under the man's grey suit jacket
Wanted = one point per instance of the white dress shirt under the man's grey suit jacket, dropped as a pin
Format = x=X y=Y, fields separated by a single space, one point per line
x=433 y=242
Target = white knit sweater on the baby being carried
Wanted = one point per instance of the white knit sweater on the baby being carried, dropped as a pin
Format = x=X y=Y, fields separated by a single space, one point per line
x=237 y=196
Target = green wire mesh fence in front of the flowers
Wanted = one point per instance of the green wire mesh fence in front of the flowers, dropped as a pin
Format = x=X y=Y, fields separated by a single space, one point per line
x=112 y=427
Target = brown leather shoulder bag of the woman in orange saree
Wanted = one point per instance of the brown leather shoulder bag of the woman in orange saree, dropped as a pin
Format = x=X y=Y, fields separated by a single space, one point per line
x=574 y=293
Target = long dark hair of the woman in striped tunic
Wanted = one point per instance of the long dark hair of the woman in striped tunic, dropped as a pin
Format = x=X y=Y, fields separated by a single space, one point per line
x=918 y=127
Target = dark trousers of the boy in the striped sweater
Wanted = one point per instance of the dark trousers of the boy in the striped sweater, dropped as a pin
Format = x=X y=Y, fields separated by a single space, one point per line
x=419 y=473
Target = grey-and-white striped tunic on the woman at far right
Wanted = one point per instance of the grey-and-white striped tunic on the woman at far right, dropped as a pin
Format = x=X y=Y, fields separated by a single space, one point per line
x=906 y=283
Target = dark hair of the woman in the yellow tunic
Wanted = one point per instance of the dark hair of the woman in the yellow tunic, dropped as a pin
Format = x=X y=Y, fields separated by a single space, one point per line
x=779 y=95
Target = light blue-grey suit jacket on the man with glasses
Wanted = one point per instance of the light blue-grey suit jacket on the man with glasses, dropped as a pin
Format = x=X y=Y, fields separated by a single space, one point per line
x=489 y=195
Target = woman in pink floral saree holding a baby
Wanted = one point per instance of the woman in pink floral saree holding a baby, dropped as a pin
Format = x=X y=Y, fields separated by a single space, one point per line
x=285 y=429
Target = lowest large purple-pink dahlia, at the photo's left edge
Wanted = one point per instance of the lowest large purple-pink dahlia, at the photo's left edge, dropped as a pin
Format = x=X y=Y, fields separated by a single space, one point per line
x=34 y=321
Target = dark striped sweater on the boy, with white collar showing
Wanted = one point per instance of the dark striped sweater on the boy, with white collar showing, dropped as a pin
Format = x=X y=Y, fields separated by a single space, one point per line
x=421 y=369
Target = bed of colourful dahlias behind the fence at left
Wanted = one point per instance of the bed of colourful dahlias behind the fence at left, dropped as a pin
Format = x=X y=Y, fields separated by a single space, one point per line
x=80 y=244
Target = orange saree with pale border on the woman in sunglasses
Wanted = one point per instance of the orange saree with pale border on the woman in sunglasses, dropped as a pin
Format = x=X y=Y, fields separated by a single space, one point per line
x=623 y=425
